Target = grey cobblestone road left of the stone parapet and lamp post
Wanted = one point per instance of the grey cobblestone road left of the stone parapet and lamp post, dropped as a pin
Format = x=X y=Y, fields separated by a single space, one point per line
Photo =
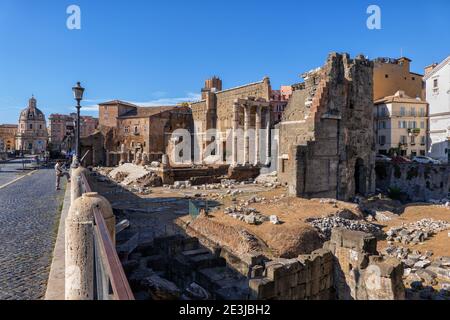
x=29 y=216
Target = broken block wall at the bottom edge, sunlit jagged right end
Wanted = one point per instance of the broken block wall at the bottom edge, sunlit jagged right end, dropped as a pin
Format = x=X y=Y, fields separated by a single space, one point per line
x=346 y=268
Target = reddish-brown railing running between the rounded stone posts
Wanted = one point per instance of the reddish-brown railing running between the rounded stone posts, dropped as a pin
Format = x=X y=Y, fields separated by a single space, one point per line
x=111 y=282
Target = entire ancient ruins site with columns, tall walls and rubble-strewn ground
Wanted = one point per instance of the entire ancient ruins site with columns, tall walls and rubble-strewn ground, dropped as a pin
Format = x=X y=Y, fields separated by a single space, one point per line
x=228 y=199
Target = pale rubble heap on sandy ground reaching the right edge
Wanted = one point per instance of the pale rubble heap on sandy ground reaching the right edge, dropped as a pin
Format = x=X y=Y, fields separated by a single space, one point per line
x=417 y=232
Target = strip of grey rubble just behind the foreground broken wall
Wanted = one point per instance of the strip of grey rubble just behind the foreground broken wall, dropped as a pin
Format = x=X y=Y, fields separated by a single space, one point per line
x=327 y=224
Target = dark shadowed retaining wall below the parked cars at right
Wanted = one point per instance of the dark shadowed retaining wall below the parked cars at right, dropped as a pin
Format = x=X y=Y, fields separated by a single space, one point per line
x=415 y=182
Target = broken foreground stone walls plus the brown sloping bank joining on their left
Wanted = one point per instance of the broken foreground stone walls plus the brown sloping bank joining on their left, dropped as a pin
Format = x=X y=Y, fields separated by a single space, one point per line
x=348 y=267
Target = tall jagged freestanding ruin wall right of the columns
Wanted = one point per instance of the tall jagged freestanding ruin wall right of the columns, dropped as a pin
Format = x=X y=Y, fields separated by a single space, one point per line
x=327 y=127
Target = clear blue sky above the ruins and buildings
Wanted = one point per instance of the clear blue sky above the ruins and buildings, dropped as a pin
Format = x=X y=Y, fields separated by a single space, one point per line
x=162 y=51
